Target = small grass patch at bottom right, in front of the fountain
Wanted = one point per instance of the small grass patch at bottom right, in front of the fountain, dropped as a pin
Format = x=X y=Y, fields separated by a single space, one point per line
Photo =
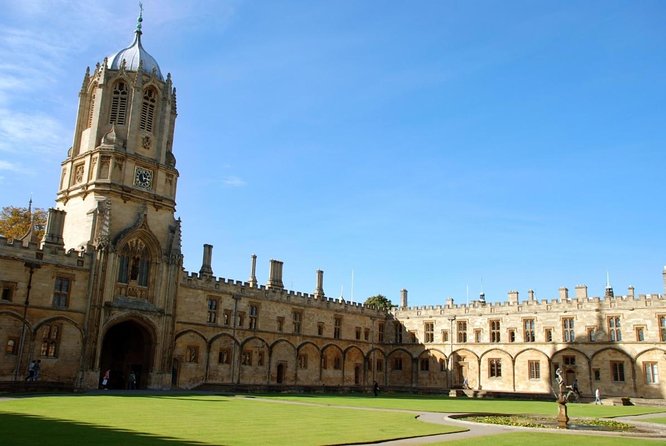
x=543 y=439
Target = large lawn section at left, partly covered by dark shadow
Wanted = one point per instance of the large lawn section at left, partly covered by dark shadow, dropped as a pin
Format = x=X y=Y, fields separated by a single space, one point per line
x=194 y=419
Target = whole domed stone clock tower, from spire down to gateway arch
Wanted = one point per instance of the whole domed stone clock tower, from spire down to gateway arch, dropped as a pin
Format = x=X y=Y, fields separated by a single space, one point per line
x=118 y=190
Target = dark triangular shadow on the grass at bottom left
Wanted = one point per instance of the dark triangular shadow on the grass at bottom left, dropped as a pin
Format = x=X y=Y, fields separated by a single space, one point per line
x=21 y=430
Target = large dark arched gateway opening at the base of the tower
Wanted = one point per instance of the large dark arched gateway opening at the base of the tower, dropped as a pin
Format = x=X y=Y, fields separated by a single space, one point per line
x=127 y=346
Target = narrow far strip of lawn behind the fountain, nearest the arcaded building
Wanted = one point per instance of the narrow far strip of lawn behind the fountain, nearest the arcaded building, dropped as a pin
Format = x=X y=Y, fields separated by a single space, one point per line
x=431 y=403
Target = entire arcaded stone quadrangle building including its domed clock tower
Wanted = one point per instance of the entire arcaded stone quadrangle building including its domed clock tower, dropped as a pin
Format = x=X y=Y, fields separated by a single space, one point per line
x=105 y=290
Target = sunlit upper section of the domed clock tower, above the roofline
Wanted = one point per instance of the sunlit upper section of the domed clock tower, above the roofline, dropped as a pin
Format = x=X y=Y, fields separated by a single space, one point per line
x=122 y=150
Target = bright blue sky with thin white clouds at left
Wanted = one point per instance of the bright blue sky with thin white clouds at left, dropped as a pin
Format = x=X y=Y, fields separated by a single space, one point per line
x=437 y=146
